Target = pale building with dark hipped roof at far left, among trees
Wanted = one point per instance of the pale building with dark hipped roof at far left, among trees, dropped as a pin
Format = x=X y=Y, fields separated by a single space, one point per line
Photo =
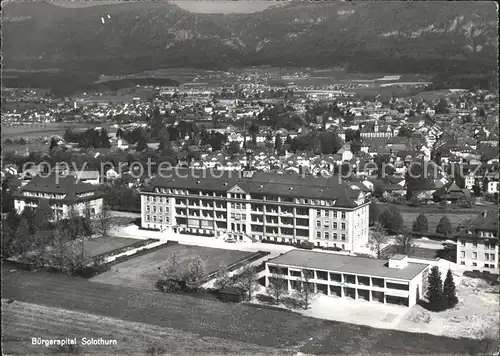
x=64 y=194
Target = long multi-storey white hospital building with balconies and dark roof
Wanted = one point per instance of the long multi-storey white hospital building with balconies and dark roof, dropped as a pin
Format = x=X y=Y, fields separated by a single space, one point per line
x=258 y=205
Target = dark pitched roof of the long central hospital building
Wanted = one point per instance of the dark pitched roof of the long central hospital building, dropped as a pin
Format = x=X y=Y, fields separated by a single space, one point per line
x=268 y=183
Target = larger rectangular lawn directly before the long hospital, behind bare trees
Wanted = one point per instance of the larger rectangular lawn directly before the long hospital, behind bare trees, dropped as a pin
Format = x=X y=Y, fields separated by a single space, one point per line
x=143 y=271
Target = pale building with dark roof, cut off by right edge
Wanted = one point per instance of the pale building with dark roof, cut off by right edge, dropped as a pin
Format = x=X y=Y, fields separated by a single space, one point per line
x=477 y=243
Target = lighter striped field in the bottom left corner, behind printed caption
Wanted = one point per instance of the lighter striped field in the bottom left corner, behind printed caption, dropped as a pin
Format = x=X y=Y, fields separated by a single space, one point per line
x=25 y=320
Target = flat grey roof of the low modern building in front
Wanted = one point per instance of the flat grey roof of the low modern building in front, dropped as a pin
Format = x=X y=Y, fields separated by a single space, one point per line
x=347 y=264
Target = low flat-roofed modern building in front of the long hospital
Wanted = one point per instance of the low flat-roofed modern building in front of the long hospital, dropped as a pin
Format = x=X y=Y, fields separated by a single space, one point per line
x=395 y=281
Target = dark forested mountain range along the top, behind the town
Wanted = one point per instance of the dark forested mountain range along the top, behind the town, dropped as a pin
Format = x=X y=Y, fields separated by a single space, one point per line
x=402 y=37
